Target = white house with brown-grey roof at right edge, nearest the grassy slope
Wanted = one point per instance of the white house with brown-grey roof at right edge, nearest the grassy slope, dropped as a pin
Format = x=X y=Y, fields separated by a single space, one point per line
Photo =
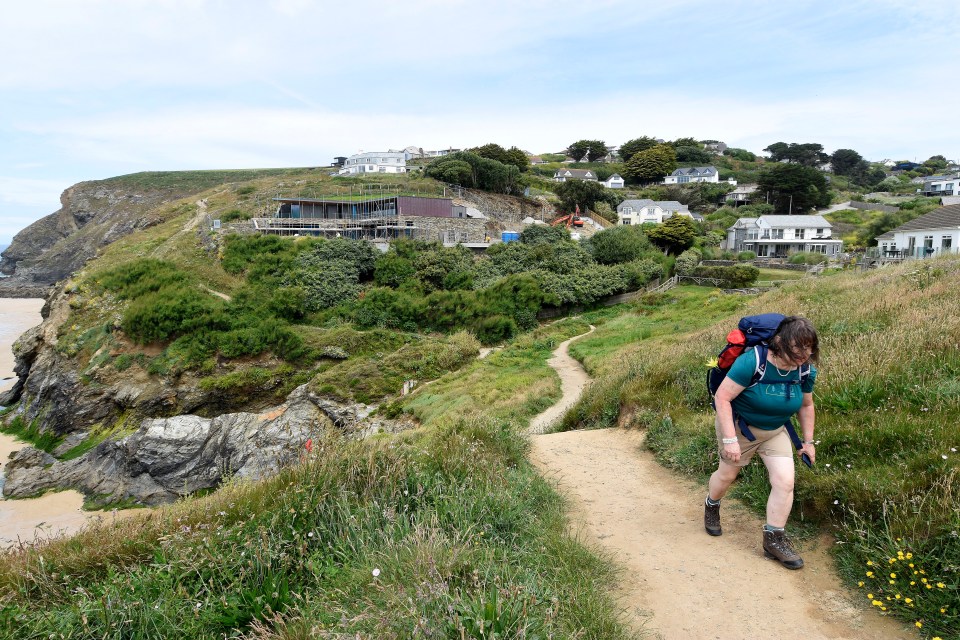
x=931 y=234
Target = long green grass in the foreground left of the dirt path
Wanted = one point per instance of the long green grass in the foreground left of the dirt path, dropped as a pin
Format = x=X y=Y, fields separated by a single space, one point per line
x=441 y=532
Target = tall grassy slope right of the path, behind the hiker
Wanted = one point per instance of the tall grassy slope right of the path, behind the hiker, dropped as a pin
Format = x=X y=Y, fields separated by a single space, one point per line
x=887 y=399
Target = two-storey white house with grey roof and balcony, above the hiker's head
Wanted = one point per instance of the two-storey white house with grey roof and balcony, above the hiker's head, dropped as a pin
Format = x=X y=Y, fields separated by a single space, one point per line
x=779 y=236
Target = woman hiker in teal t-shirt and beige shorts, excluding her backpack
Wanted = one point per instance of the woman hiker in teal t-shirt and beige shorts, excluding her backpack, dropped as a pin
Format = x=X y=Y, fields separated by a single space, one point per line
x=764 y=408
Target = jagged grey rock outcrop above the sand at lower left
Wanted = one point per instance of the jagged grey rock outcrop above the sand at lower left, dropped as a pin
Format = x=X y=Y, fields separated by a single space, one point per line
x=167 y=458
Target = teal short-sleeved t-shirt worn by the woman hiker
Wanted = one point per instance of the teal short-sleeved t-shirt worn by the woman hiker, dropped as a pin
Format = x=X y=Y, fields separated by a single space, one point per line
x=765 y=406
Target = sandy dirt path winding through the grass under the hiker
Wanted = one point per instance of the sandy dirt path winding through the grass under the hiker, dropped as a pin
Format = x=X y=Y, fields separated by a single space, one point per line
x=678 y=582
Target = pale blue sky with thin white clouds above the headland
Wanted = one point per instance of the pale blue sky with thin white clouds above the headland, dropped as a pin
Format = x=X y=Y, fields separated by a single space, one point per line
x=91 y=89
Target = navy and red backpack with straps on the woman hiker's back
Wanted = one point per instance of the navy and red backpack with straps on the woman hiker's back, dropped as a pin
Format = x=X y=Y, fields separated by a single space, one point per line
x=753 y=331
